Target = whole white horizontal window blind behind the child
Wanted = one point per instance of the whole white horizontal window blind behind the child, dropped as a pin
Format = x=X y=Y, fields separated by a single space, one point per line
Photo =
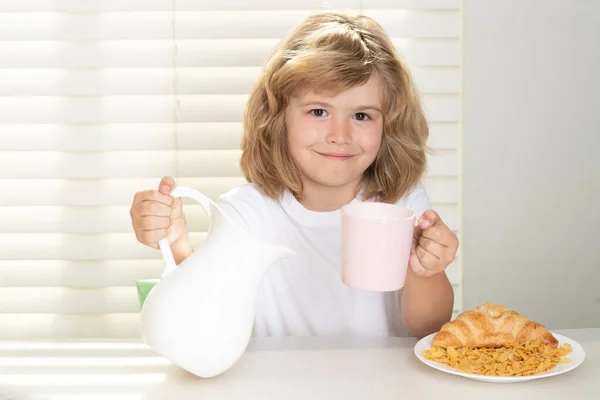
x=101 y=99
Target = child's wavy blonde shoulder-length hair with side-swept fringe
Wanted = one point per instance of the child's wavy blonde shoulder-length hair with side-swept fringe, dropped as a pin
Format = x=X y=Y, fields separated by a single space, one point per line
x=333 y=52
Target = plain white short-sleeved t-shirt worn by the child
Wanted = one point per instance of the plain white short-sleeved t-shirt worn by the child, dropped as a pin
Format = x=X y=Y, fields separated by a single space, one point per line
x=304 y=295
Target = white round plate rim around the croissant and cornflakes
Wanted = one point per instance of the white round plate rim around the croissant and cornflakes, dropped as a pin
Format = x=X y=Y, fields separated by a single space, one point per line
x=576 y=356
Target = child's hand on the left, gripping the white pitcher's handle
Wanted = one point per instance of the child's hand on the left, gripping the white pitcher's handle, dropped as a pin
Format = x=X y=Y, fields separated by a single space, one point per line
x=156 y=215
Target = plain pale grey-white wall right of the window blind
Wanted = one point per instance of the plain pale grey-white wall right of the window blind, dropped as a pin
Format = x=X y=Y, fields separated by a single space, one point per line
x=531 y=158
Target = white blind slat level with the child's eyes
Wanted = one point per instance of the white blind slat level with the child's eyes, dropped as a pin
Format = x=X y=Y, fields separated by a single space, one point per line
x=161 y=109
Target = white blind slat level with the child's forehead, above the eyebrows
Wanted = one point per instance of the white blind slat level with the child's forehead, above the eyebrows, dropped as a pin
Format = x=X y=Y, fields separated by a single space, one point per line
x=163 y=81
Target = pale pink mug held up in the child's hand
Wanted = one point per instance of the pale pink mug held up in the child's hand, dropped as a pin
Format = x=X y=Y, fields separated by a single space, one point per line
x=375 y=245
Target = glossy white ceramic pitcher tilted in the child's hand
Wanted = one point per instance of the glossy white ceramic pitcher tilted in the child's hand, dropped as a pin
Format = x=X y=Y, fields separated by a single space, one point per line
x=200 y=314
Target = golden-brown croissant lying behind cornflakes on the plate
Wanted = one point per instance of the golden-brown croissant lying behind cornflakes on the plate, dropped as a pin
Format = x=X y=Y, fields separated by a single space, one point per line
x=491 y=325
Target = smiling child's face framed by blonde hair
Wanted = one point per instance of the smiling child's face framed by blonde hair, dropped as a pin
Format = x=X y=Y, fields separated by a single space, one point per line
x=335 y=139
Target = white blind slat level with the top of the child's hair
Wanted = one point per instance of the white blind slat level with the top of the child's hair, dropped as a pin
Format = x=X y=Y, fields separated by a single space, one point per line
x=266 y=24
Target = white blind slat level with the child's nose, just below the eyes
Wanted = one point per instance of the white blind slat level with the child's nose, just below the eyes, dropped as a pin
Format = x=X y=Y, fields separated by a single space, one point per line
x=159 y=136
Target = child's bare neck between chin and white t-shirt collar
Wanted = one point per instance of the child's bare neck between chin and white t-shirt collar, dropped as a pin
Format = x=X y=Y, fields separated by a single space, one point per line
x=326 y=198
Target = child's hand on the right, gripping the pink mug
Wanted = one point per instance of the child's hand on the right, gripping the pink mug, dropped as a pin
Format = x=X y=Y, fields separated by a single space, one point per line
x=434 y=246
